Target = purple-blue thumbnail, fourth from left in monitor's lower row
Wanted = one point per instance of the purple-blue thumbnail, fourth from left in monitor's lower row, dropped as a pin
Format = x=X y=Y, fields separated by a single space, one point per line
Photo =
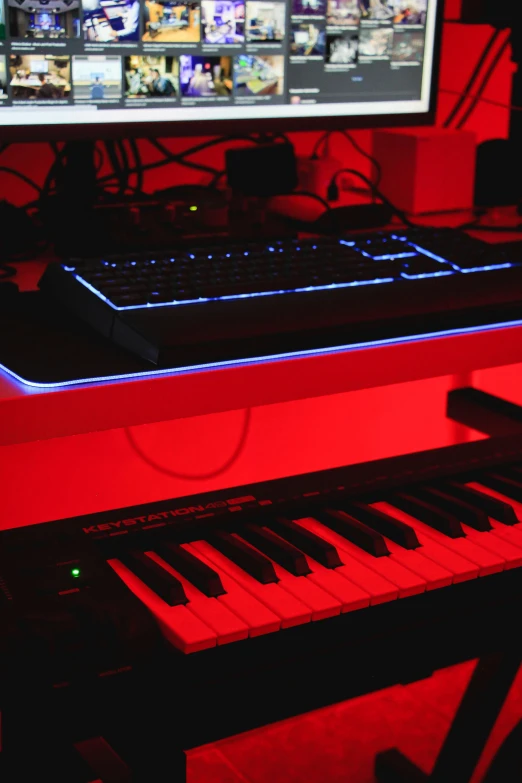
x=205 y=77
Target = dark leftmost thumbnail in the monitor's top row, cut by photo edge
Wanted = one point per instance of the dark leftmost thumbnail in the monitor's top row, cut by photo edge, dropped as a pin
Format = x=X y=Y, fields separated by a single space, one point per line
x=55 y=19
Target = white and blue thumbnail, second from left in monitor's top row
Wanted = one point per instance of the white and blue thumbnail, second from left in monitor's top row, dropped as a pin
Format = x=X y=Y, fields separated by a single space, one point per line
x=108 y=21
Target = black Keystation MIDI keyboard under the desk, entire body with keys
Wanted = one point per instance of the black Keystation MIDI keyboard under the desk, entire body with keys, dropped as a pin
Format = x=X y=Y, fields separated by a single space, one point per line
x=387 y=570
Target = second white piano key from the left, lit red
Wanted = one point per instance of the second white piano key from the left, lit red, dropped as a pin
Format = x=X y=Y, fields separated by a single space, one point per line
x=227 y=626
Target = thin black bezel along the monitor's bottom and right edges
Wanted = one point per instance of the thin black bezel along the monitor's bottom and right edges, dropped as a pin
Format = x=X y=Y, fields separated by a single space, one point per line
x=137 y=130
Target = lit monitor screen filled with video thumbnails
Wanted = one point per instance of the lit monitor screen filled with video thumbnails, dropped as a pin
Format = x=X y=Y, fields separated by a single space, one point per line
x=110 y=62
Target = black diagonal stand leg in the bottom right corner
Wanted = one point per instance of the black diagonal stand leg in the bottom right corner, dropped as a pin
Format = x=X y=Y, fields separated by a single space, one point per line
x=475 y=719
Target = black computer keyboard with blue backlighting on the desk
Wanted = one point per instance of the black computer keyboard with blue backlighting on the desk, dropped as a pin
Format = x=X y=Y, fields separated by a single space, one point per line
x=251 y=296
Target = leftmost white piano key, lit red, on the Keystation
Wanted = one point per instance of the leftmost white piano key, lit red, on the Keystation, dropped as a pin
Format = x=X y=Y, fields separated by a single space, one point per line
x=179 y=626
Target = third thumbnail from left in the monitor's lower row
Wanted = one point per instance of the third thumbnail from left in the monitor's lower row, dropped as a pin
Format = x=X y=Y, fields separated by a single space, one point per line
x=150 y=78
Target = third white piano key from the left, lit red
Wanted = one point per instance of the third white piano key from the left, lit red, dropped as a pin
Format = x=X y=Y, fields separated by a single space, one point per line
x=255 y=614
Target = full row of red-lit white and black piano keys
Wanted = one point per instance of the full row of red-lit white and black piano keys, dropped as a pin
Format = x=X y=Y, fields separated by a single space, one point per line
x=342 y=557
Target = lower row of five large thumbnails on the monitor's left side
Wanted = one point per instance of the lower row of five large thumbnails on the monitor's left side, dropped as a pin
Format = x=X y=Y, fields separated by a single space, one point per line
x=137 y=79
